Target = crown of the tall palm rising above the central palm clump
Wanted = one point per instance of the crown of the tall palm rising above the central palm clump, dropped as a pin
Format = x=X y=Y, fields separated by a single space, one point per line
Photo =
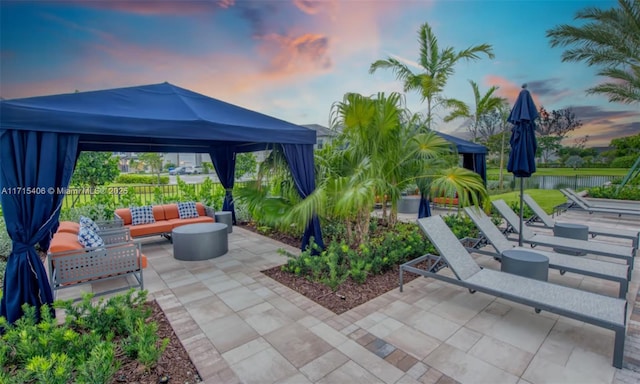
x=437 y=65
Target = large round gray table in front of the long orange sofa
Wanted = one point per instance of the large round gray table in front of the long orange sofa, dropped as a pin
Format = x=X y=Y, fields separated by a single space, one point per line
x=193 y=242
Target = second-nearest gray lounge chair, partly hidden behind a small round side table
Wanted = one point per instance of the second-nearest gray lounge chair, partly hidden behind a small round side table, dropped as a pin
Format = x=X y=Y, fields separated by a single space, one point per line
x=565 y=263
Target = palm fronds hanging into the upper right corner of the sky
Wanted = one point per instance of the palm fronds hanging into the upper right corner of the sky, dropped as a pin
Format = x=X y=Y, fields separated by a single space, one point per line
x=609 y=39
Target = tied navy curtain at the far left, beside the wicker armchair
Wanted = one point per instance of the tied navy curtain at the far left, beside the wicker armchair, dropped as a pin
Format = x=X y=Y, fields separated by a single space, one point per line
x=32 y=166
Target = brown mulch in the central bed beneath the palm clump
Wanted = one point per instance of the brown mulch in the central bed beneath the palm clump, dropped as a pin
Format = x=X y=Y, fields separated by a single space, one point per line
x=347 y=296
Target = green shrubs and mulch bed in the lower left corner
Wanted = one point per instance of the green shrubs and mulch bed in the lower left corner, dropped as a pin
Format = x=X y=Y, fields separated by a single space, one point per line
x=112 y=340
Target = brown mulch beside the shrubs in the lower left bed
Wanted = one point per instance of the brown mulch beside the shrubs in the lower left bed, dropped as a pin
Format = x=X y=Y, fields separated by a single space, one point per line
x=174 y=365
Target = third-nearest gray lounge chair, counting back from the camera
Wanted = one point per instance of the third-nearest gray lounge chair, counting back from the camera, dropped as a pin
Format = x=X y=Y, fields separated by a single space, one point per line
x=593 y=247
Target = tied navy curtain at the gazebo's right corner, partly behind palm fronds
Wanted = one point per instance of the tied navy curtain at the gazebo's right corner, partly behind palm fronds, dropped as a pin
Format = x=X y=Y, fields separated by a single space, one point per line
x=301 y=163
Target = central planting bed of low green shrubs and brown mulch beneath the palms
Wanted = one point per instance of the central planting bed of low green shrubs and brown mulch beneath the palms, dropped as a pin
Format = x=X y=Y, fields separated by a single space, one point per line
x=342 y=277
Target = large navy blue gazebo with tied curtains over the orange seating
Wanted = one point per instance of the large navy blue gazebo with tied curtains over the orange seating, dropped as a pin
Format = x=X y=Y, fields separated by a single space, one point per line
x=41 y=138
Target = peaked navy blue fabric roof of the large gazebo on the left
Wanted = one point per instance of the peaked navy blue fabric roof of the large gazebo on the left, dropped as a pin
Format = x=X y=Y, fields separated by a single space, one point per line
x=155 y=118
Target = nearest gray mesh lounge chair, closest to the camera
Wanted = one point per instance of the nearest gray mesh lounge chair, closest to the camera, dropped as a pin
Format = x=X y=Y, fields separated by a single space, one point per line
x=602 y=311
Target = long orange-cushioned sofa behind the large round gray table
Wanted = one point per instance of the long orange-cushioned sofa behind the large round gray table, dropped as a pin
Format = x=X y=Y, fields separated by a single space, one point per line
x=165 y=218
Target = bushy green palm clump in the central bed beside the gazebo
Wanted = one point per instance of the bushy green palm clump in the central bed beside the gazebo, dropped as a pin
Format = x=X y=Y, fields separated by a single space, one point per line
x=381 y=150
